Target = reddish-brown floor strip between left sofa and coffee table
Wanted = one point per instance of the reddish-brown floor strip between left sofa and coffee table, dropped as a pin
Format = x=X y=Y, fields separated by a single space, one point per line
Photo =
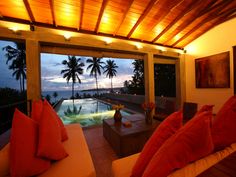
x=101 y=152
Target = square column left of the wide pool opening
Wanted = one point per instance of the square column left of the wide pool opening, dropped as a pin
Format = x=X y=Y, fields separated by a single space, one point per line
x=33 y=70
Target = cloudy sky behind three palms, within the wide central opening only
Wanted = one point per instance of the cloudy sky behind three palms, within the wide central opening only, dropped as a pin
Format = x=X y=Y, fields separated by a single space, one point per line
x=52 y=79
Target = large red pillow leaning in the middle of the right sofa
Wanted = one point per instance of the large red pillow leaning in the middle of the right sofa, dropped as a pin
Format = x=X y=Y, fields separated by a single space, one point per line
x=191 y=142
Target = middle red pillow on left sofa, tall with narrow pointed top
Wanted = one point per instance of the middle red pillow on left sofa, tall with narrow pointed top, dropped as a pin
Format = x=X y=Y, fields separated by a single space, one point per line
x=50 y=145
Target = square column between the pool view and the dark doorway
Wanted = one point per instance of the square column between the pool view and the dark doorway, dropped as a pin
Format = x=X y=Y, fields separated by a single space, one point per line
x=149 y=78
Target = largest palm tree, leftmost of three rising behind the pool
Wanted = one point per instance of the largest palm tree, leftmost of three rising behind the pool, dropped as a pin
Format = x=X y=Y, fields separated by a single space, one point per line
x=74 y=68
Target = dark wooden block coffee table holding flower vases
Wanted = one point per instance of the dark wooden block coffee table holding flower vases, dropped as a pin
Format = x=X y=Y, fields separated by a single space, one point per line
x=127 y=140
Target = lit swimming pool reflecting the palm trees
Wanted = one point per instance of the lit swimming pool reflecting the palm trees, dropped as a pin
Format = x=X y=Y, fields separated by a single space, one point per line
x=87 y=111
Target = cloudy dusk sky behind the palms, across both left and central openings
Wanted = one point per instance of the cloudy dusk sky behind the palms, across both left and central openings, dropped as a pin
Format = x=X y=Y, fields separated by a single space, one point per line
x=52 y=79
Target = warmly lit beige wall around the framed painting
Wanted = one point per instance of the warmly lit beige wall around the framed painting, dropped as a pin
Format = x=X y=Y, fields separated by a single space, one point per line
x=217 y=40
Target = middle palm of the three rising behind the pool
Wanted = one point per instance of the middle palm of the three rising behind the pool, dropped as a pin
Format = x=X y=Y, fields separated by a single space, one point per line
x=95 y=68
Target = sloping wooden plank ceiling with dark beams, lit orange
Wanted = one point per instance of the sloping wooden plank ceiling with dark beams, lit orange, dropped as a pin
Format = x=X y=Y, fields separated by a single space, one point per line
x=172 y=23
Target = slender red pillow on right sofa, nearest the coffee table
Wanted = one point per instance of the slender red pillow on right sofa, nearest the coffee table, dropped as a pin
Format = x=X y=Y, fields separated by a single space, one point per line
x=165 y=130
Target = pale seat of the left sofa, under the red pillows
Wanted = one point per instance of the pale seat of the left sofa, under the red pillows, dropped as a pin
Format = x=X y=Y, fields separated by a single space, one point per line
x=77 y=164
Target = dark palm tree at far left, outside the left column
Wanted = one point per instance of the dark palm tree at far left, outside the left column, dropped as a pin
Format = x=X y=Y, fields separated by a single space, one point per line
x=18 y=57
